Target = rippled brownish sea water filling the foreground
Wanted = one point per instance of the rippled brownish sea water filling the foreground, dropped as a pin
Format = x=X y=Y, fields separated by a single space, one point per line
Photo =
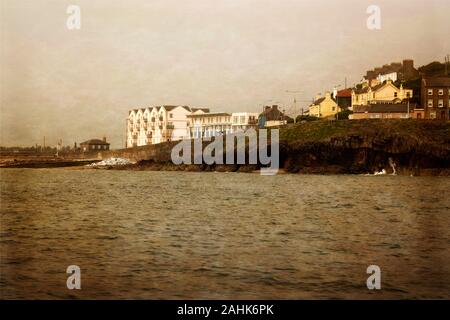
x=162 y=235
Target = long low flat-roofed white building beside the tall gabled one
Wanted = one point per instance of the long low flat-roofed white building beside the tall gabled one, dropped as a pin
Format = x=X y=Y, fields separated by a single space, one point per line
x=214 y=124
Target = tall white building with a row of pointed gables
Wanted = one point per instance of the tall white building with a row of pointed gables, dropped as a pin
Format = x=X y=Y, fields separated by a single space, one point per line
x=159 y=124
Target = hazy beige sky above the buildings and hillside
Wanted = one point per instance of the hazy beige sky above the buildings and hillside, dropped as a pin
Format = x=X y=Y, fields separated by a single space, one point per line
x=227 y=55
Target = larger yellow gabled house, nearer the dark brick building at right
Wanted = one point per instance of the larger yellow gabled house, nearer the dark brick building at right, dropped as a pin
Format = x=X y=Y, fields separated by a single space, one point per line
x=385 y=92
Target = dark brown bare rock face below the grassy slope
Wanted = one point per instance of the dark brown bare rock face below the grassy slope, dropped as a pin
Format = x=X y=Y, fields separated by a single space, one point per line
x=366 y=154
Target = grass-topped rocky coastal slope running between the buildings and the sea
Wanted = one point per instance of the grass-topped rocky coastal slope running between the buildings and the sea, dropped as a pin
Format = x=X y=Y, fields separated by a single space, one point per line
x=413 y=147
